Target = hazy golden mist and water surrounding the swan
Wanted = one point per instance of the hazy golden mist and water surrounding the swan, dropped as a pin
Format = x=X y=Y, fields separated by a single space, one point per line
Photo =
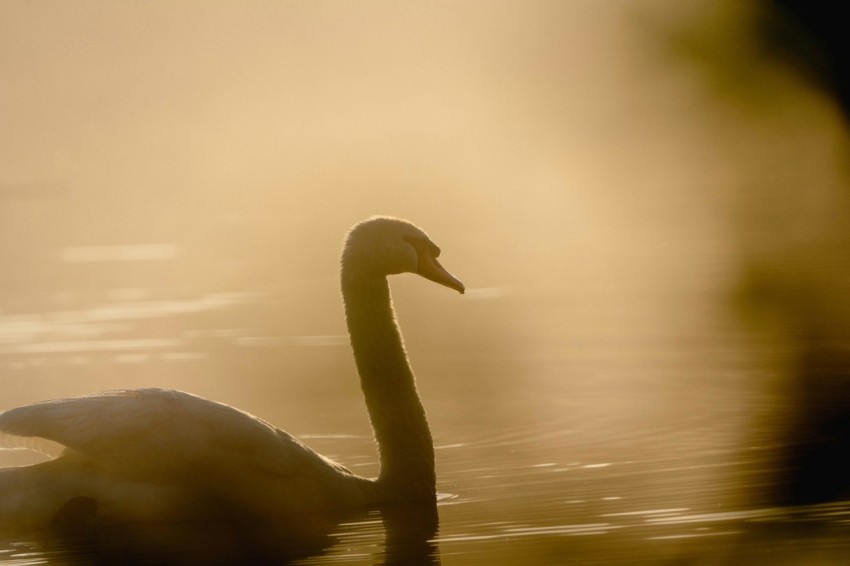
x=648 y=209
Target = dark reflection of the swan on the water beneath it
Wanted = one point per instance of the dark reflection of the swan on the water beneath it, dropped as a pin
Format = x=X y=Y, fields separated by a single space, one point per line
x=409 y=531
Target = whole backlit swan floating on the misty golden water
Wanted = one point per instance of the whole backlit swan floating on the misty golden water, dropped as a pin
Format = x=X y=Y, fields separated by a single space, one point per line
x=156 y=454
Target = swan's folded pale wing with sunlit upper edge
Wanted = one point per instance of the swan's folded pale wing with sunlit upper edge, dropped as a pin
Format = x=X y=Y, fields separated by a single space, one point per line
x=150 y=433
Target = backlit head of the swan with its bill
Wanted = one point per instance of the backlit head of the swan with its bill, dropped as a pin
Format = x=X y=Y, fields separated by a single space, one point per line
x=385 y=246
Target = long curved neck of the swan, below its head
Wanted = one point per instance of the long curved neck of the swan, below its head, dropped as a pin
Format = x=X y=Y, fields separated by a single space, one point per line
x=397 y=415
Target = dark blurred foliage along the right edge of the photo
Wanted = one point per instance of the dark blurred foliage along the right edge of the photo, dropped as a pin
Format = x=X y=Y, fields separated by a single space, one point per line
x=811 y=295
